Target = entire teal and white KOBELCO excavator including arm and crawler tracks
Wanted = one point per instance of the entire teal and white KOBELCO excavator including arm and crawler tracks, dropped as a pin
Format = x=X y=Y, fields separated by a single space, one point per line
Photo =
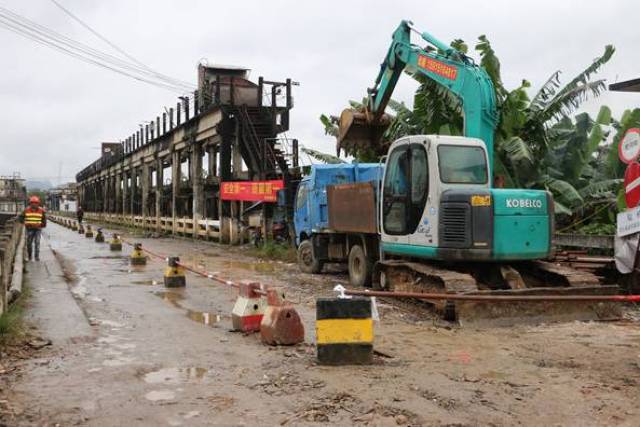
x=440 y=224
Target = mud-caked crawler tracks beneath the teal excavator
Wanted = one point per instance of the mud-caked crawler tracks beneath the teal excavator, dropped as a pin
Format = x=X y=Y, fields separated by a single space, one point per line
x=525 y=278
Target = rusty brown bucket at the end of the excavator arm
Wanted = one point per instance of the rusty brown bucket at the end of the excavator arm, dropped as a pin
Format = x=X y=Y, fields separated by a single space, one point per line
x=356 y=130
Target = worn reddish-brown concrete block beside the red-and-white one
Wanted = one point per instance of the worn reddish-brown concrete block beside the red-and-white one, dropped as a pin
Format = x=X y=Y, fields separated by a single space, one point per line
x=281 y=324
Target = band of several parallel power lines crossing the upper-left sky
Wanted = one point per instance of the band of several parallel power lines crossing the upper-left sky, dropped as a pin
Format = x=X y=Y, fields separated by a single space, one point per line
x=45 y=36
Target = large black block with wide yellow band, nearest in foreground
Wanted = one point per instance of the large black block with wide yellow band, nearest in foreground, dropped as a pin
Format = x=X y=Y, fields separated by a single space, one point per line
x=344 y=331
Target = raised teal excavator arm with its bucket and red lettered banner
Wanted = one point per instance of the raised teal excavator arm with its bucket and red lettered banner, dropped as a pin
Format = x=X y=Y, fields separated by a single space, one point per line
x=444 y=65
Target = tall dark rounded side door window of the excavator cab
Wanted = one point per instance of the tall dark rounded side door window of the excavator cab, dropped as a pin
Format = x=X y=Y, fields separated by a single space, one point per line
x=406 y=187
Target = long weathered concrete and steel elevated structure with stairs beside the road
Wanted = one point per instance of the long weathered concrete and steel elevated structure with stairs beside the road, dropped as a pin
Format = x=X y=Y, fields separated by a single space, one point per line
x=167 y=175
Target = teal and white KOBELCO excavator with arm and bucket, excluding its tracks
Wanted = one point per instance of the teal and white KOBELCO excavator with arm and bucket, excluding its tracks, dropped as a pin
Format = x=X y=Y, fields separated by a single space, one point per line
x=437 y=200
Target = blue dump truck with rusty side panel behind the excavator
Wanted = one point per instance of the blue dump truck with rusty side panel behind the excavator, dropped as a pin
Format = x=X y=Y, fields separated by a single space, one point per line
x=331 y=230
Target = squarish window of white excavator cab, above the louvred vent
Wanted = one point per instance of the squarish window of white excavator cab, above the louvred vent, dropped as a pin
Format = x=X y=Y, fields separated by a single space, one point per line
x=462 y=164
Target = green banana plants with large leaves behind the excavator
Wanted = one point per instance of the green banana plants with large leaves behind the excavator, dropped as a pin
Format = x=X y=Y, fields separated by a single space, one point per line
x=541 y=141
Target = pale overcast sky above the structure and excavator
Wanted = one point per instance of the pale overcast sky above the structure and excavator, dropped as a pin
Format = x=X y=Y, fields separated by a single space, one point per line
x=57 y=109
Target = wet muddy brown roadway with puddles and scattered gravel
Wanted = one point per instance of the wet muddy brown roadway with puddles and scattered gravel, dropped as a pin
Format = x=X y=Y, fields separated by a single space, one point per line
x=152 y=356
